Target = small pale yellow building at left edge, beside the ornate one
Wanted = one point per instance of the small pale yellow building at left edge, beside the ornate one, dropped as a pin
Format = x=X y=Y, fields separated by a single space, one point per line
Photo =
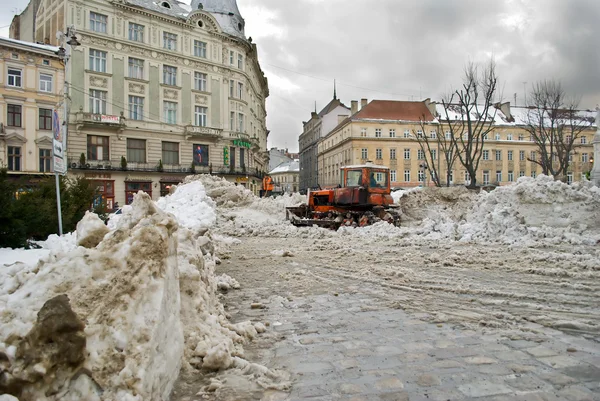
x=31 y=82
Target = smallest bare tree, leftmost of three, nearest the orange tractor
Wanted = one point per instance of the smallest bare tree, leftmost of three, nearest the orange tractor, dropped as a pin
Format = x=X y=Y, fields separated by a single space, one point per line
x=436 y=148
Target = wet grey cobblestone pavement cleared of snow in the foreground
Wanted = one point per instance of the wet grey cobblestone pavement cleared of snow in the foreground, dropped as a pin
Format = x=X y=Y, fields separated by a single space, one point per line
x=342 y=340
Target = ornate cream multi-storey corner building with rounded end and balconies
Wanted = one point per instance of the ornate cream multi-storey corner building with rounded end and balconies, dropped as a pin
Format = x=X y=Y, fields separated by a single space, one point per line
x=160 y=90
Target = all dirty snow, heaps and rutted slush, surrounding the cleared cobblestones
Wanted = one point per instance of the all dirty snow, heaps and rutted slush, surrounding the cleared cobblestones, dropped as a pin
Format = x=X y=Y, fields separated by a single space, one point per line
x=145 y=296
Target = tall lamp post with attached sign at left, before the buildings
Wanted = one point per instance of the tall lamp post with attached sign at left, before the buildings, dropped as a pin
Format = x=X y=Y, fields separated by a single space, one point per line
x=68 y=42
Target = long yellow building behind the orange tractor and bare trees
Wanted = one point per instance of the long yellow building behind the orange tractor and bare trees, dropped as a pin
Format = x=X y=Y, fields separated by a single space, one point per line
x=384 y=132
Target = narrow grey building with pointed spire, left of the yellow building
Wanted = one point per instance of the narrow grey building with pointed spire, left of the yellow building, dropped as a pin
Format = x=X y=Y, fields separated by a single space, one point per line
x=319 y=125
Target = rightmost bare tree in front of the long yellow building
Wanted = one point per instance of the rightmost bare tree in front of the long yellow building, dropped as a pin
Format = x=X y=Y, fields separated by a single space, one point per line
x=554 y=124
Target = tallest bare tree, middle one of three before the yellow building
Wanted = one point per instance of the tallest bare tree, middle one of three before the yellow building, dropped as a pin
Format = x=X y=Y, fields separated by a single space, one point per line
x=469 y=113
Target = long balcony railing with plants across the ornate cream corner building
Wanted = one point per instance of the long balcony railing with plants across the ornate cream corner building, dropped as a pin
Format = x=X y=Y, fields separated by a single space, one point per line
x=115 y=165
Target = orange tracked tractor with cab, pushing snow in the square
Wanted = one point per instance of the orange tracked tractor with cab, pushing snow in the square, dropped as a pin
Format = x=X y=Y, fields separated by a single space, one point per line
x=362 y=198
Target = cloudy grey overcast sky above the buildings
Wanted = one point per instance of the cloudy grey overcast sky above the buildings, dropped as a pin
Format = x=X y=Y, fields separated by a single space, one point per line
x=410 y=50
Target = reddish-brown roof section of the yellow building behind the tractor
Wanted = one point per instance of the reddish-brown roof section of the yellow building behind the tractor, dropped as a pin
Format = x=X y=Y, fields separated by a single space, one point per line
x=394 y=110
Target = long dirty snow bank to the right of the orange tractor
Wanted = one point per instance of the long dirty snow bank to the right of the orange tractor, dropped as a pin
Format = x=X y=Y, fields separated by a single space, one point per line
x=530 y=211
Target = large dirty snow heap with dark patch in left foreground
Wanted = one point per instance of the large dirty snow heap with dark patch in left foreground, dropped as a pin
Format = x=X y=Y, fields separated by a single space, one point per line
x=118 y=318
